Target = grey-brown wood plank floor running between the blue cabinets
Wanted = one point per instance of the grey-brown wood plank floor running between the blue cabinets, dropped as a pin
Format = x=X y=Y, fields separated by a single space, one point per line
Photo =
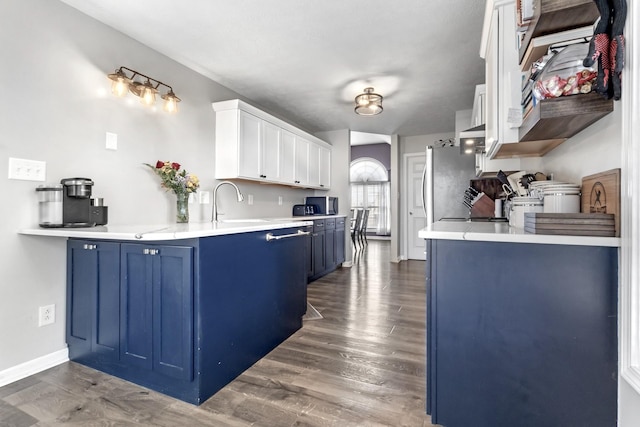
x=363 y=364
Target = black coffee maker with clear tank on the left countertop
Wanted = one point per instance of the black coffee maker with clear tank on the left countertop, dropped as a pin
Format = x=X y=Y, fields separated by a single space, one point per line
x=69 y=204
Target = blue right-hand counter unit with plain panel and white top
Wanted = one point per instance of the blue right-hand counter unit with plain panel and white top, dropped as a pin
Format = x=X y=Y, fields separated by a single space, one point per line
x=521 y=328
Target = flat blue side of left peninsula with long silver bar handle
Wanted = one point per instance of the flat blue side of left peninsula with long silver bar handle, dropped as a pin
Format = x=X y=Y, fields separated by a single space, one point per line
x=251 y=297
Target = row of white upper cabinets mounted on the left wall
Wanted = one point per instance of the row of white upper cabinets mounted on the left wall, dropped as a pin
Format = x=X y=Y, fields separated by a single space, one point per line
x=253 y=145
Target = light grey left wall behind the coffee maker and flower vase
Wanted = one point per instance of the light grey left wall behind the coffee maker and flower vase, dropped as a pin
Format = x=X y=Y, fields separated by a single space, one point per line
x=56 y=108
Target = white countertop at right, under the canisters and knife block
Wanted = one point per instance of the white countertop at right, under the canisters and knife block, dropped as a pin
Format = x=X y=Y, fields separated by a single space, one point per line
x=501 y=232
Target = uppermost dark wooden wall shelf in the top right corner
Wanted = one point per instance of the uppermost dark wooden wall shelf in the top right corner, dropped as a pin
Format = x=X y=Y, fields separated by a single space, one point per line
x=552 y=16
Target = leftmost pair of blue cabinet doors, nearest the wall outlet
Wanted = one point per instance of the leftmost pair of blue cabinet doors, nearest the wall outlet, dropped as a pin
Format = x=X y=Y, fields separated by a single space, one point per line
x=93 y=299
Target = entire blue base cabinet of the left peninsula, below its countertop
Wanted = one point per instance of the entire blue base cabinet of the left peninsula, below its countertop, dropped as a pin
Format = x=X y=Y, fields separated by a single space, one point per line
x=184 y=319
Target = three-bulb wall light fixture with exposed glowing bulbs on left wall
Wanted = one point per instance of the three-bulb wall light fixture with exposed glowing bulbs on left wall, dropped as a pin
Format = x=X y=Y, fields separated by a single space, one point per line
x=146 y=90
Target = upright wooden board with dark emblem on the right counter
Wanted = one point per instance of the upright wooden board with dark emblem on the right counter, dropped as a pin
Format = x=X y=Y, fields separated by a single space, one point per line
x=601 y=194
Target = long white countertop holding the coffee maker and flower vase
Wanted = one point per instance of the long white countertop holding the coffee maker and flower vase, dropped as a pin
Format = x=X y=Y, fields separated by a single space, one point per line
x=169 y=231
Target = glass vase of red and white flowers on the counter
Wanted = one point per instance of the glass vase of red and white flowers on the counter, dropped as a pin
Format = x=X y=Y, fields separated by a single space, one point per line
x=180 y=182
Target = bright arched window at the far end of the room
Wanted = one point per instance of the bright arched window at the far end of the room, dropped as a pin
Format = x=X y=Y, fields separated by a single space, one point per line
x=370 y=190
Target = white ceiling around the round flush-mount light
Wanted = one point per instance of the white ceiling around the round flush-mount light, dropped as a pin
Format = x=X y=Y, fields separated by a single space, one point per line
x=306 y=60
